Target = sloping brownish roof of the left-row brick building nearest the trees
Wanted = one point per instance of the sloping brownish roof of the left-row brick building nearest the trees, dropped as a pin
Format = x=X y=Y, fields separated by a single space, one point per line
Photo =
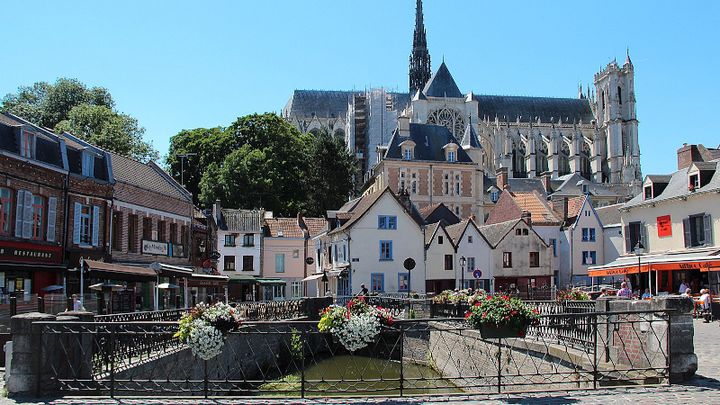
x=147 y=176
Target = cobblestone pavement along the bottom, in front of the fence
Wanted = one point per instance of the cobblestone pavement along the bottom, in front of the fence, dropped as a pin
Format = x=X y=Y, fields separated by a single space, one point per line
x=703 y=389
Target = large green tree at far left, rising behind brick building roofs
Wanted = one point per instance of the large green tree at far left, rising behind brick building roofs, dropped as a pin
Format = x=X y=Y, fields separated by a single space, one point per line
x=86 y=112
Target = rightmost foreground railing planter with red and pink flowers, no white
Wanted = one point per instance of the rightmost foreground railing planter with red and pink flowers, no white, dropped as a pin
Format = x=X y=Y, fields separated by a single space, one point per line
x=501 y=316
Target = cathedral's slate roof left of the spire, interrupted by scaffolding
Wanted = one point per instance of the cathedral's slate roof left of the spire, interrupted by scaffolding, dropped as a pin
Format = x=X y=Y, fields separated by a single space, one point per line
x=330 y=103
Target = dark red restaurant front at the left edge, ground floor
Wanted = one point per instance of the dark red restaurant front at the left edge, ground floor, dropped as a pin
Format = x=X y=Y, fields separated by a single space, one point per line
x=27 y=268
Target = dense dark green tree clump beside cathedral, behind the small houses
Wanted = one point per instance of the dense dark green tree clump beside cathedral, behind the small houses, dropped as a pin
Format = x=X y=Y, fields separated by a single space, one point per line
x=261 y=161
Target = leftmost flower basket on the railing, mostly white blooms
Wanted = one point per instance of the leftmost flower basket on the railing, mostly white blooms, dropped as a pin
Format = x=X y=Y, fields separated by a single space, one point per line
x=205 y=327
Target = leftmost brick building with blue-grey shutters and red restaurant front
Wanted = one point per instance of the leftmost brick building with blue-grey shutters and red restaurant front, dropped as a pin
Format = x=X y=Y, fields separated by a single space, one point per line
x=33 y=172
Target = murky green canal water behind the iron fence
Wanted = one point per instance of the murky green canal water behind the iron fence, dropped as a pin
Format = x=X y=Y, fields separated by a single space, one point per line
x=356 y=375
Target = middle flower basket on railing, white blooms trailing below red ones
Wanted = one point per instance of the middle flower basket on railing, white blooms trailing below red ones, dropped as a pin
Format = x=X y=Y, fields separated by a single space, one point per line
x=355 y=325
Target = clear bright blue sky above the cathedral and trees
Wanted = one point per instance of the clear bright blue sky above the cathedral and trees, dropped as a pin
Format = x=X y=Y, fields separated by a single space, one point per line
x=180 y=64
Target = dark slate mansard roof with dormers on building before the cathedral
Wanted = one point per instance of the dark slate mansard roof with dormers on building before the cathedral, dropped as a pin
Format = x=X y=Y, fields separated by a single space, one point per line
x=429 y=141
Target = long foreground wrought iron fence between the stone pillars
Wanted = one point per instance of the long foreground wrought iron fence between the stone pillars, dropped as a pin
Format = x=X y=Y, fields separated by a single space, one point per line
x=413 y=357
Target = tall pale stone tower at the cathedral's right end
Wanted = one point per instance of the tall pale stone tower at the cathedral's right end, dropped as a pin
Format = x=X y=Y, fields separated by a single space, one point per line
x=615 y=112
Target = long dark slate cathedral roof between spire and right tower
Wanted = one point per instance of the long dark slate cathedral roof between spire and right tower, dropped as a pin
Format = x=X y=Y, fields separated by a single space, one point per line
x=547 y=109
